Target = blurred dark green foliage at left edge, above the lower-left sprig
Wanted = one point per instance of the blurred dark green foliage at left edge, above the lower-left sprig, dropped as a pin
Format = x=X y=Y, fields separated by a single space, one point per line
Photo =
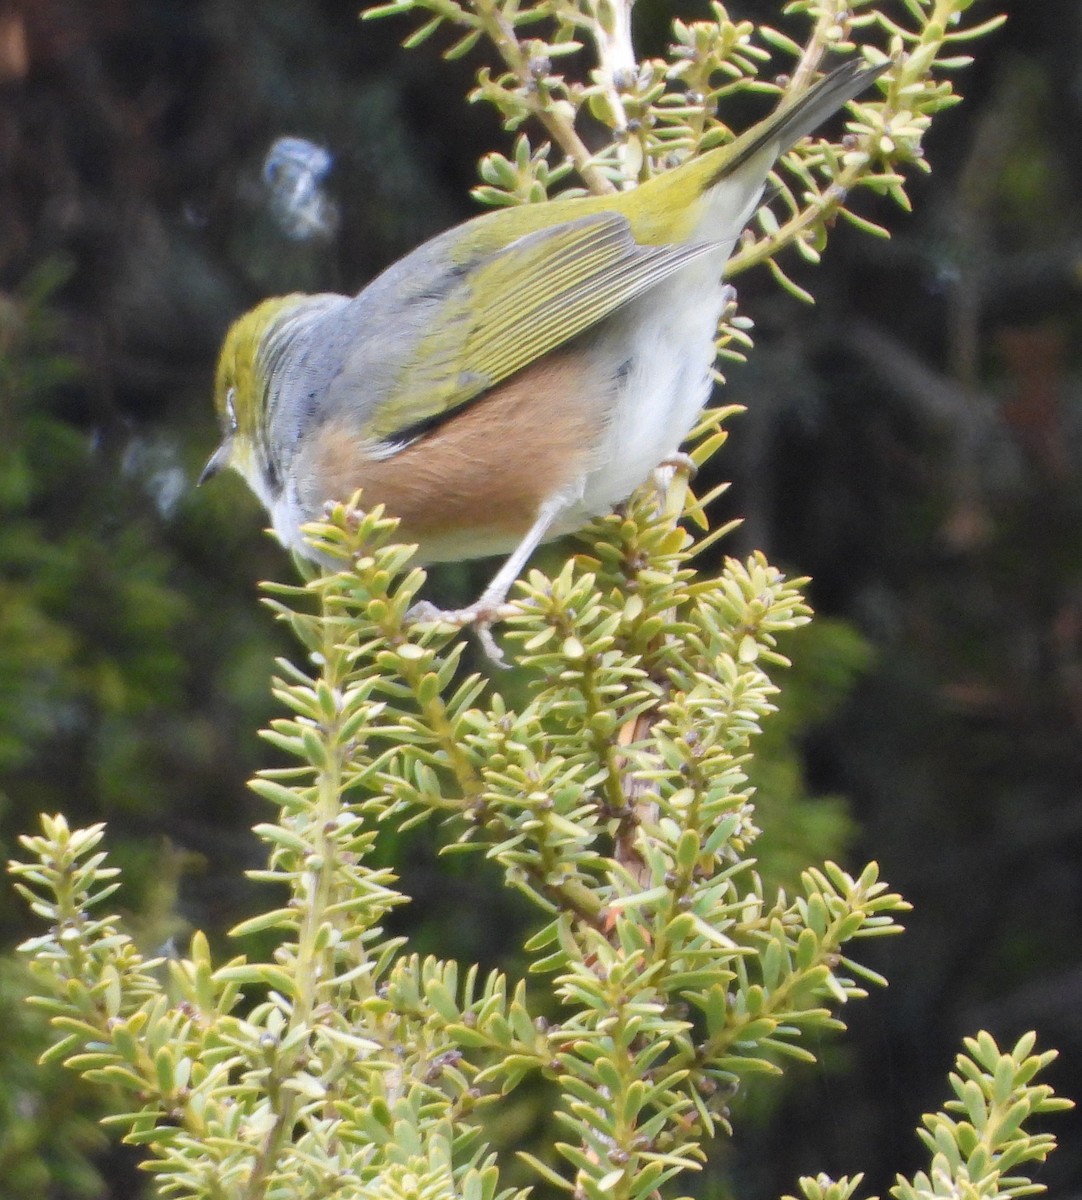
x=107 y=659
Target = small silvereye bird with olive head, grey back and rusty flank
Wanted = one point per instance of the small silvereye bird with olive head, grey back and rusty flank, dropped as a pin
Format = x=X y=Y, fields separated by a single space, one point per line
x=513 y=377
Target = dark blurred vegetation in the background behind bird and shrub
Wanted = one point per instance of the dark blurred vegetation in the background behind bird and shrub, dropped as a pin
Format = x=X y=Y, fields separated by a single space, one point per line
x=912 y=443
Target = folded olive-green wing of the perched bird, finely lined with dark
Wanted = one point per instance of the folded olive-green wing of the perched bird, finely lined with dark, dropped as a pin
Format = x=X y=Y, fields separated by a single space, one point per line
x=488 y=320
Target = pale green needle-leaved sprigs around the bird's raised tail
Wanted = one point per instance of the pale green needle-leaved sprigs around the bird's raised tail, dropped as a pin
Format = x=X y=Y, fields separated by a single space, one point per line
x=659 y=111
